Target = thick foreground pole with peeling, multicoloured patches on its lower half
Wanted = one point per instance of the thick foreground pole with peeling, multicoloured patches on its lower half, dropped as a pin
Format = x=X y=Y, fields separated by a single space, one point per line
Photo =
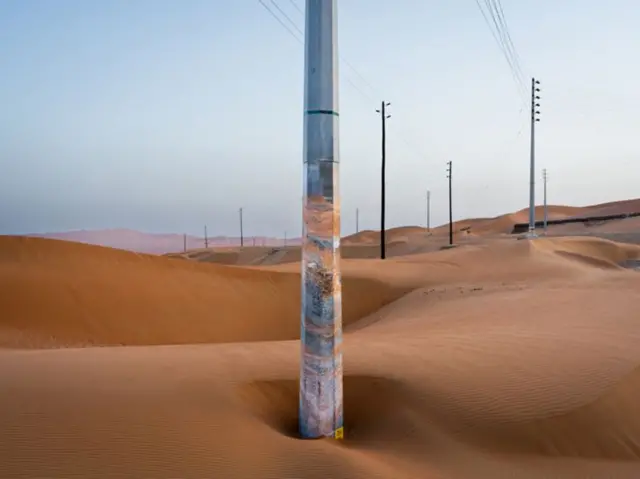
x=321 y=408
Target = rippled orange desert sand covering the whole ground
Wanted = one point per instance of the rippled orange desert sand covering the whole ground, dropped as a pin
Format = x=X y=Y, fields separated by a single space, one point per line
x=496 y=358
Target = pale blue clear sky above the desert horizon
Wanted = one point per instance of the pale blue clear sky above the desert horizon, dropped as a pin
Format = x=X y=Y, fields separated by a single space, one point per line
x=163 y=115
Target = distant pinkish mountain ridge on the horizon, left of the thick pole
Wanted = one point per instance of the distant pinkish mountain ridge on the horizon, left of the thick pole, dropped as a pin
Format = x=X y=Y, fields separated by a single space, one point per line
x=153 y=243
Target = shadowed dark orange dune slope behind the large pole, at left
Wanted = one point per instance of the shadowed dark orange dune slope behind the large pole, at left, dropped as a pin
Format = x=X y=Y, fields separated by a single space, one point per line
x=57 y=293
